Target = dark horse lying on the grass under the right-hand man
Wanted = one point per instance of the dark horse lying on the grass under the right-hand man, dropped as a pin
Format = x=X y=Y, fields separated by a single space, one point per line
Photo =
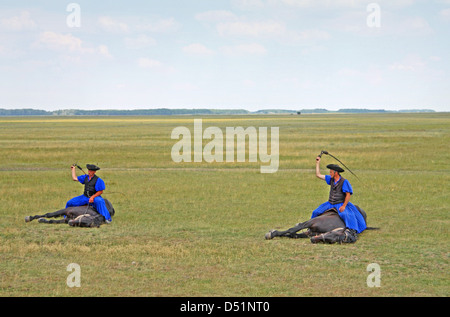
x=328 y=228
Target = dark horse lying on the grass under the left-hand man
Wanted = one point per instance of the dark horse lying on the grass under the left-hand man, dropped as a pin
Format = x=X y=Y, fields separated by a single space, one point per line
x=82 y=216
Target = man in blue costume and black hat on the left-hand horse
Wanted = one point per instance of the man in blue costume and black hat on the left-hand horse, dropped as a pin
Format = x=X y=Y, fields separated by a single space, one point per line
x=93 y=188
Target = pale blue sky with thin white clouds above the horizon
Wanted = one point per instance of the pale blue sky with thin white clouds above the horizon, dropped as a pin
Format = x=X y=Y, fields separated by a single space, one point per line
x=228 y=54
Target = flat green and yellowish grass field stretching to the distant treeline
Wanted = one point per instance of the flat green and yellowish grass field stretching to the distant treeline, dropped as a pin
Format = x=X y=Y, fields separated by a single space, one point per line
x=197 y=229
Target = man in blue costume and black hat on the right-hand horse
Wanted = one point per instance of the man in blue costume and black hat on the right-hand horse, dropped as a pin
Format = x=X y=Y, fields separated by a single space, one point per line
x=340 y=192
